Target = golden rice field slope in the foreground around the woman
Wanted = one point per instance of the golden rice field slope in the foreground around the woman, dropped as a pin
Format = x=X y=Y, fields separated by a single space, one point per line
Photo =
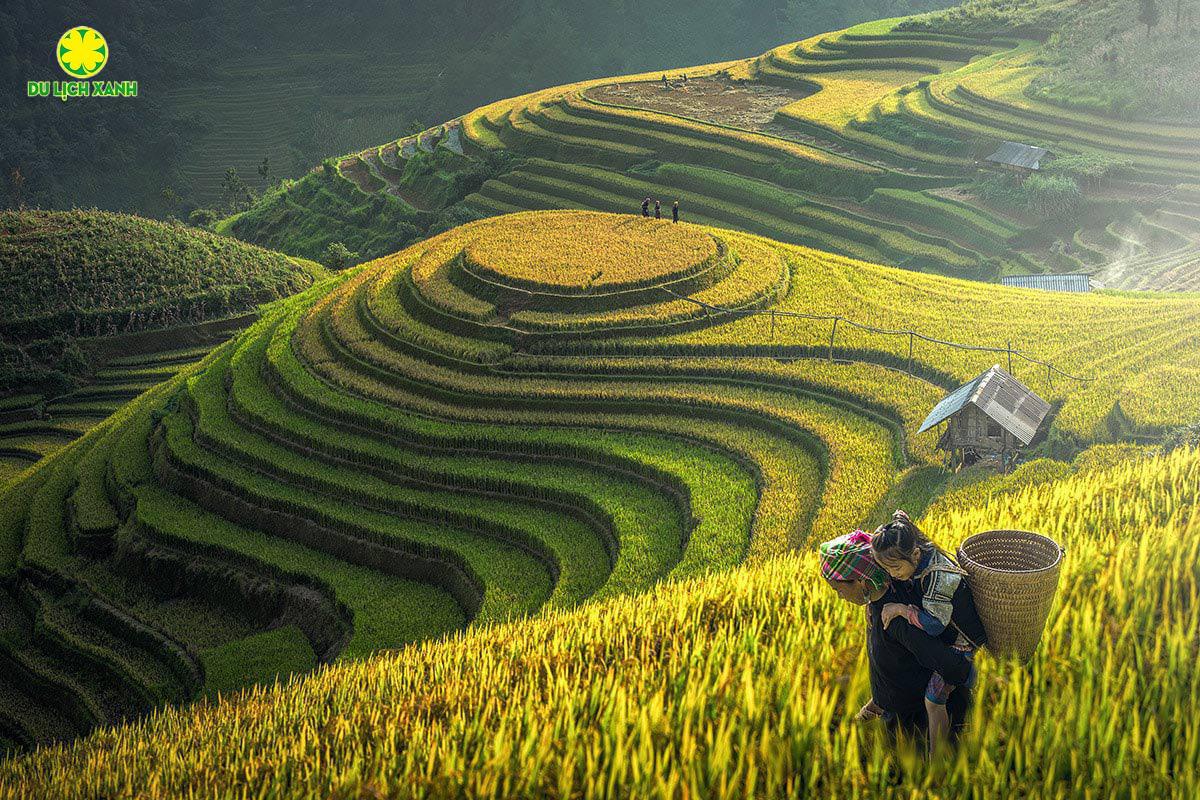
x=739 y=684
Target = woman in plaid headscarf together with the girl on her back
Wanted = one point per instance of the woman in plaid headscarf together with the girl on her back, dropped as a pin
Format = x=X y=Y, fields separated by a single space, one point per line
x=922 y=625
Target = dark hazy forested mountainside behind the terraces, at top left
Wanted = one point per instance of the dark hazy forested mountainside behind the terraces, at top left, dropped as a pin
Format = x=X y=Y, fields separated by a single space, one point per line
x=226 y=86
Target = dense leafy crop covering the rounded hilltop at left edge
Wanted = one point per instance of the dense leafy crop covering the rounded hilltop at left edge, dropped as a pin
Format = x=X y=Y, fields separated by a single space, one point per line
x=74 y=278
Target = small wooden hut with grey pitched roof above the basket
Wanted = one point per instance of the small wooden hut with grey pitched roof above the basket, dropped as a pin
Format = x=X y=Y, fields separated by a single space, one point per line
x=994 y=414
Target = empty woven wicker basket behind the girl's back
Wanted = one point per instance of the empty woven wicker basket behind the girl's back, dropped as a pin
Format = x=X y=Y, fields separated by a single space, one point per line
x=1013 y=578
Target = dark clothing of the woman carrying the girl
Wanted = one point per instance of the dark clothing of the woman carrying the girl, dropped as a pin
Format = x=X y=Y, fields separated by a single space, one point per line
x=903 y=659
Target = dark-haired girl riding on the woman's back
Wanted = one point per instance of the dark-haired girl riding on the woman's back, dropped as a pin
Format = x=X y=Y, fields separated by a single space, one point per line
x=947 y=606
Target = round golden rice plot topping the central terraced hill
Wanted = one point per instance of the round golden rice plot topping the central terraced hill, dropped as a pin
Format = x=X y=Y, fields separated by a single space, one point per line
x=590 y=254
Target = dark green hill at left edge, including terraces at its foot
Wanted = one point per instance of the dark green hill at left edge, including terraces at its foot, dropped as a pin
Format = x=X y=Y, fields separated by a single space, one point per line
x=100 y=308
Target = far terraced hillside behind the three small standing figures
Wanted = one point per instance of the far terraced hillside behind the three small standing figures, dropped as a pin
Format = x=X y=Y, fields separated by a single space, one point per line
x=871 y=142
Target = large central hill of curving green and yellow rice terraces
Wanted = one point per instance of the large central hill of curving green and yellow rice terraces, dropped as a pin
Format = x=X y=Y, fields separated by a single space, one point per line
x=517 y=418
